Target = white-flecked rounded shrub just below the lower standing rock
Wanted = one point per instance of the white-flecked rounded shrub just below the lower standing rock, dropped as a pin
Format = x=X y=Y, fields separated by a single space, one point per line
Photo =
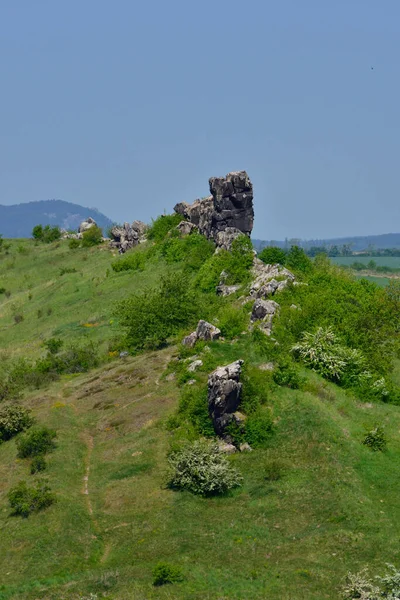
x=201 y=469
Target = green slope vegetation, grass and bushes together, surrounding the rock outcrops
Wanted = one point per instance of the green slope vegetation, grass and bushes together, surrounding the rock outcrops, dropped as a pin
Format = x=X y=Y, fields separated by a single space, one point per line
x=315 y=501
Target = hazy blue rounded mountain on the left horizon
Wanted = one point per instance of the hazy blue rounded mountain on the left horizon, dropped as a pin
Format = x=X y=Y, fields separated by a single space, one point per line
x=18 y=220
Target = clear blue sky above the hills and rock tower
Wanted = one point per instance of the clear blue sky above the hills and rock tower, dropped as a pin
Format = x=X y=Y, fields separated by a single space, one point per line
x=130 y=106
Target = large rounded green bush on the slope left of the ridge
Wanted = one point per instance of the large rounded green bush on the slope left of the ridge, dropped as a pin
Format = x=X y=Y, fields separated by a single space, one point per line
x=151 y=317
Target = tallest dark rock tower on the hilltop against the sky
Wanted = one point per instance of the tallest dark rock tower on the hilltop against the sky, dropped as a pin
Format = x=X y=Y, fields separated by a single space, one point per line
x=228 y=211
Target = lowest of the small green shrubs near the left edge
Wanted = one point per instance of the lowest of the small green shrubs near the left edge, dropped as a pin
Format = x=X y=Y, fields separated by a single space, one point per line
x=25 y=499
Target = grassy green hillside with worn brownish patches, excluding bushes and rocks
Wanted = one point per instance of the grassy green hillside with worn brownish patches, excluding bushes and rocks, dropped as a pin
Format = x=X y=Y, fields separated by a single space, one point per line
x=315 y=502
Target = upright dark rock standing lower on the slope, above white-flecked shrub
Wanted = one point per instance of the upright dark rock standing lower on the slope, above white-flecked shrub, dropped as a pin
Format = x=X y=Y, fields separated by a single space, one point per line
x=224 y=390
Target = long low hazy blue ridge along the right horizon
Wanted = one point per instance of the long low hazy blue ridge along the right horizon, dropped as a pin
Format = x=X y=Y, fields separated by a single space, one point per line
x=358 y=243
